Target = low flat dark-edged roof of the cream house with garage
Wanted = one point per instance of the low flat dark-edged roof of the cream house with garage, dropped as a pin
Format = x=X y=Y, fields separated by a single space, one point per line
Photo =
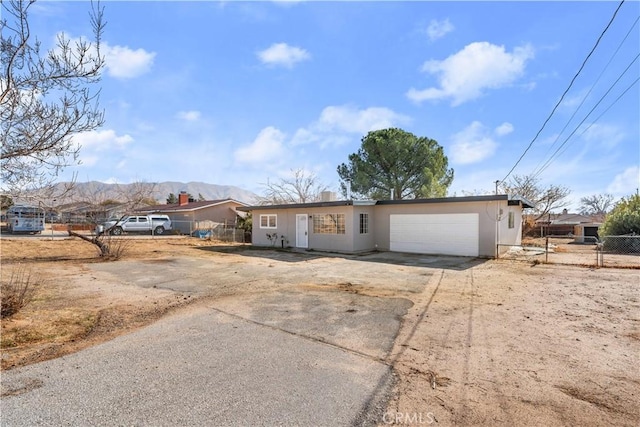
x=511 y=201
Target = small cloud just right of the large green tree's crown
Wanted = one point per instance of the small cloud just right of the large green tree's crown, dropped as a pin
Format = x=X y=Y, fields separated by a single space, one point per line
x=473 y=144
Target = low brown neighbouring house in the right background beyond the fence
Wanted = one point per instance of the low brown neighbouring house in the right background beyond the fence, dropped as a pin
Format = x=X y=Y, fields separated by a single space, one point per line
x=570 y=224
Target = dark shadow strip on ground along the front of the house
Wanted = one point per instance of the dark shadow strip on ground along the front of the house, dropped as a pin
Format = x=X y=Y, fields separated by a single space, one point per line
x=394 y=258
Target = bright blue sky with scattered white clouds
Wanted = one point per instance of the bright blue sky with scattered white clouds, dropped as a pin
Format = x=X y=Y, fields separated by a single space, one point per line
x=238 y=93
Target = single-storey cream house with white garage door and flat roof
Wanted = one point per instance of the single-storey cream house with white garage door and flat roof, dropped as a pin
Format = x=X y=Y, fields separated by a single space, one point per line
x=464 y=226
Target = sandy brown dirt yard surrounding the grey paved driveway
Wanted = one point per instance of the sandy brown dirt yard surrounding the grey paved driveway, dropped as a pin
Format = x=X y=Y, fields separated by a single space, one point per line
x=483 y=343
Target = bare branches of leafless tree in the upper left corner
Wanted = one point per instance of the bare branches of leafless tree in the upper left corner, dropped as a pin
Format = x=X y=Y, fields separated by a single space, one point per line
x=46 y=97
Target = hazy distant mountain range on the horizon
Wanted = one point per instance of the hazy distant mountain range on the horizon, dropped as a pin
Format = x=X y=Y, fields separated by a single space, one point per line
x=86 y=191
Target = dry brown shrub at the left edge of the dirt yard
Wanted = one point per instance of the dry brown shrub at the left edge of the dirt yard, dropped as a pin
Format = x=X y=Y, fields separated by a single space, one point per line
x=17 y=291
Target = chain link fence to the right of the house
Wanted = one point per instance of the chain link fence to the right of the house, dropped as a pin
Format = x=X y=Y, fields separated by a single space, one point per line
x=608 y=251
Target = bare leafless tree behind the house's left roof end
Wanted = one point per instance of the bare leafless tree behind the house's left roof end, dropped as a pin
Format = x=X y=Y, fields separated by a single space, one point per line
x=301 y=187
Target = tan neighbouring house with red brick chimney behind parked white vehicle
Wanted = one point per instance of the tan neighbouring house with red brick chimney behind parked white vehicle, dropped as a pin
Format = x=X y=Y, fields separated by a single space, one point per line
x=186 y=216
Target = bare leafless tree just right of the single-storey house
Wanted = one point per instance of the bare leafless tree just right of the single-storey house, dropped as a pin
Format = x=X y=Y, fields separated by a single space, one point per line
x=546 y=199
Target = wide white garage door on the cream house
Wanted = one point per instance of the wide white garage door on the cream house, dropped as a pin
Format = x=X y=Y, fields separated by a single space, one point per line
x=447 y=234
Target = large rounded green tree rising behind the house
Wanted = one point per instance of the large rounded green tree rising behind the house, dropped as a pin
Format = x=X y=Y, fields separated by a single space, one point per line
x=398 y=163
